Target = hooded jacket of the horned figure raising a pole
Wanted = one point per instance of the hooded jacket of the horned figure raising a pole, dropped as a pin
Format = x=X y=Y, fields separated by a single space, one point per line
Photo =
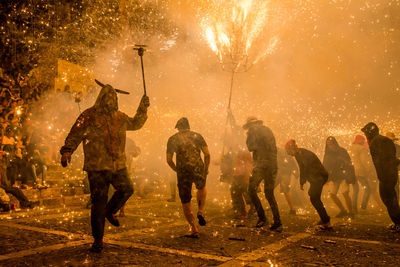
x=102 y=129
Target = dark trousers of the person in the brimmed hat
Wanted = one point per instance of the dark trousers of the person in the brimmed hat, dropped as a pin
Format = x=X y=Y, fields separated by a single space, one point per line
x=268 y=175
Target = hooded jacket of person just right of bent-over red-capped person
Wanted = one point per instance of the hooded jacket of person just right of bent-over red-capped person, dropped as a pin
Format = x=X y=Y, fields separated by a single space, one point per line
x=338 y=163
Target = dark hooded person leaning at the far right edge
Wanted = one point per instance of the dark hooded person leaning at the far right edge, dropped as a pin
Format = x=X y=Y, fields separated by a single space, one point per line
x=383 y=152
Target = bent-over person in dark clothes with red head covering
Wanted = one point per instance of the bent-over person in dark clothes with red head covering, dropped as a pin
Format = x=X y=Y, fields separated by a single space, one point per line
x=311 y=170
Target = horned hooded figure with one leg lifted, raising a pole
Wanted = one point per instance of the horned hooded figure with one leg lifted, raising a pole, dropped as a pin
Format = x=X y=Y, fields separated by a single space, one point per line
x=102 y=130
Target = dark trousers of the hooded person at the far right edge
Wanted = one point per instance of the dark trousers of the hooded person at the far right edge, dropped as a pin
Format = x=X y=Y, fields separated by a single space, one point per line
x=389 y=198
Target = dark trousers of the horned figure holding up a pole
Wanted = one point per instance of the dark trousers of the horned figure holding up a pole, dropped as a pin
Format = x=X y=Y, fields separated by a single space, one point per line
x=99 y=184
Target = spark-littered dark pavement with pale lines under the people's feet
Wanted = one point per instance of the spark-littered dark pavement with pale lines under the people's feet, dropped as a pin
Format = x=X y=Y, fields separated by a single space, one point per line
x=152 y=233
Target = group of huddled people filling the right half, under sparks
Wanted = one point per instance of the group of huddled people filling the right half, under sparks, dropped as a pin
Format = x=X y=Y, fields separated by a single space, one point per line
x=370 y=163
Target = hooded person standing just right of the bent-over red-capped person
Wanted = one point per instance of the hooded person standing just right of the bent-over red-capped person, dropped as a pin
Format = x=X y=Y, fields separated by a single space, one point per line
x=340 y=168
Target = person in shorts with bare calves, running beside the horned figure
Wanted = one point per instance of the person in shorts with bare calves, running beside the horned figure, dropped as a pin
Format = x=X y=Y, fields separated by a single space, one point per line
x=190 y=168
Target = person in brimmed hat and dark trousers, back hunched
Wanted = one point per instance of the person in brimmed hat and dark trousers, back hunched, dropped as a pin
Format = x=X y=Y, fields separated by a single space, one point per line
x=261 y=142
